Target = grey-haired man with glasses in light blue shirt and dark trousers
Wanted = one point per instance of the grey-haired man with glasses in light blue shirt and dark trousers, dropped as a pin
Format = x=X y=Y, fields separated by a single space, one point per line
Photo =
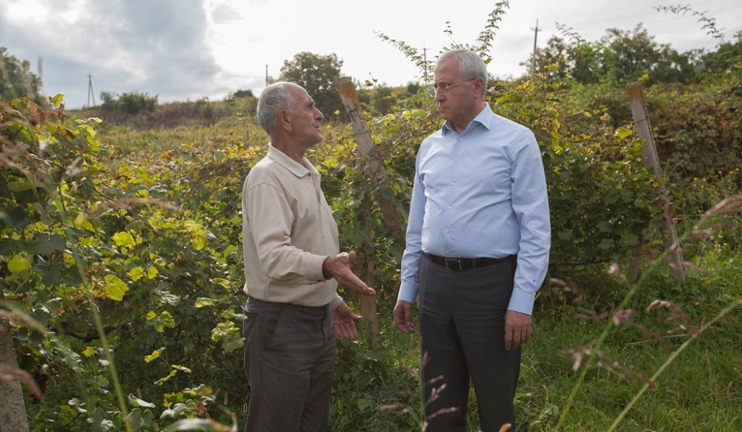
x=478 y=240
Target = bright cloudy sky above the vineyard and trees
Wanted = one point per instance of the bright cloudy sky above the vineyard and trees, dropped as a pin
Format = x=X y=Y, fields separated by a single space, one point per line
x=188 y=49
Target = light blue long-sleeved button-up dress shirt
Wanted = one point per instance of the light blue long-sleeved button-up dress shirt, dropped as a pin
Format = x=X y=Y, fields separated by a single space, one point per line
x=480 y=193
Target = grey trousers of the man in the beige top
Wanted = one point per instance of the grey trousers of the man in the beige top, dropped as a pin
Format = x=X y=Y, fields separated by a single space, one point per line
x=289 y=352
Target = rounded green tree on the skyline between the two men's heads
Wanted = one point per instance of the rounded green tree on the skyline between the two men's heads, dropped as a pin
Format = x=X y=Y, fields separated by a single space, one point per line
x=316 y=74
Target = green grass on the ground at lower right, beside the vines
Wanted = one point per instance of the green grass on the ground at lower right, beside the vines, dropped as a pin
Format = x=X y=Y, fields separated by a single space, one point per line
x=700 y=388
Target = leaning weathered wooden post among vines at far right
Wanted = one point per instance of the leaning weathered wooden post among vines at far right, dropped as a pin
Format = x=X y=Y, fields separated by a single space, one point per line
x=651 y=161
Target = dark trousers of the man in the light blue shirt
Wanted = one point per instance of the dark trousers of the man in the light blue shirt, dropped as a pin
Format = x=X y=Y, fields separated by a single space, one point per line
x=462 y=326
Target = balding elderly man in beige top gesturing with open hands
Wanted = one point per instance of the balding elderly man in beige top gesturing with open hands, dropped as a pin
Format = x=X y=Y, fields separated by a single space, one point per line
x=292 y=269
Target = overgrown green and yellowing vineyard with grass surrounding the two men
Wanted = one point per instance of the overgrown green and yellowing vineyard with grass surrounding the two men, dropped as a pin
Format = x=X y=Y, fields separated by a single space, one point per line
x=121 y=270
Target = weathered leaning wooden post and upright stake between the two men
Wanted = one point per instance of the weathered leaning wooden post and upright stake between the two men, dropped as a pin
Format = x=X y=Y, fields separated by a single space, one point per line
x=374 y=168
